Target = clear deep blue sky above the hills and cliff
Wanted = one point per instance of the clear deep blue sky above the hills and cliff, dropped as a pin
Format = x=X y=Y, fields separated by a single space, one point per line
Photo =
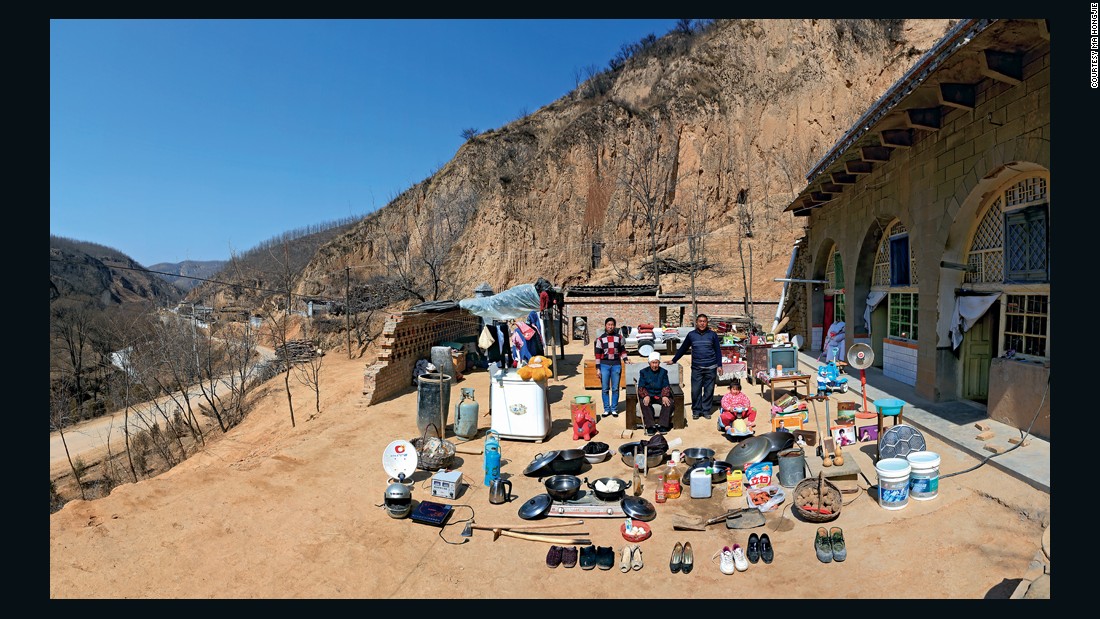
x=174 y=140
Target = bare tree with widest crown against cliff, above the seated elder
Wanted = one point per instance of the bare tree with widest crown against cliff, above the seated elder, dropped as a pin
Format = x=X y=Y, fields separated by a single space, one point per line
x=650 y=179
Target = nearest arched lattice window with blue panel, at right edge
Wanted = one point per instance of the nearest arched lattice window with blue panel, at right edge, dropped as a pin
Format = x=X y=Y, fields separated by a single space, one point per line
x=1010 y=252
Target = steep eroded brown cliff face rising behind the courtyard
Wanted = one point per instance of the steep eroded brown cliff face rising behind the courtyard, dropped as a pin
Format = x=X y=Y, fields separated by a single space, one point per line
x=734 y=117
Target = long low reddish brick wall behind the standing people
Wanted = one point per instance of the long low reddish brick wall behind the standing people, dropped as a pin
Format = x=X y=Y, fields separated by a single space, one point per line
x=637 y=311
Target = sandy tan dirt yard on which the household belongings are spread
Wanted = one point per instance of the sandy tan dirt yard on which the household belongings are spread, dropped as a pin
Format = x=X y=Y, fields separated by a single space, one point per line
x=274 y=512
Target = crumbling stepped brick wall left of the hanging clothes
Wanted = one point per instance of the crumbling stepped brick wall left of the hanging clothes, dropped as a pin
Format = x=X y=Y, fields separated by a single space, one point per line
x=408 y=338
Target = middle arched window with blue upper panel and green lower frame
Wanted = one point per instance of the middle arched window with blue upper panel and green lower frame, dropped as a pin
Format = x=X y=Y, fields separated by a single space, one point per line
x=896 y=272
